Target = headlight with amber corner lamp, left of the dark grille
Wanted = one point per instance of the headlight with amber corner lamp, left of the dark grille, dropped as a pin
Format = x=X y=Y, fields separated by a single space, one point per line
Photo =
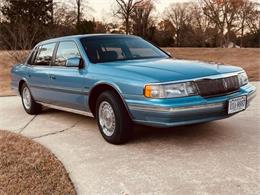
x=170 y=90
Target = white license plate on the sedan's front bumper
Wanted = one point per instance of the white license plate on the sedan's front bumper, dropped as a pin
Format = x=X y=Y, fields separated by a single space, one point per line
x=237 y=104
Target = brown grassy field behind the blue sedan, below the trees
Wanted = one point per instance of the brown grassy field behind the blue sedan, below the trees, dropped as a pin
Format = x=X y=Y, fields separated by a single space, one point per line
x=247 y=58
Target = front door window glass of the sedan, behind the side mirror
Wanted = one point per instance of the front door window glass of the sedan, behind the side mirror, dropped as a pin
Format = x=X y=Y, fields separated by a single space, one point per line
x=65 y=51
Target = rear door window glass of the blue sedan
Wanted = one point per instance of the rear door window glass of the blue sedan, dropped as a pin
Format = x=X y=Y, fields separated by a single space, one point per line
x=44 y=55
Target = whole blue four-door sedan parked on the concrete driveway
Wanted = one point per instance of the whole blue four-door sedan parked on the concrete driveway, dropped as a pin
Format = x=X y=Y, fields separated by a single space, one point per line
x=122 y=80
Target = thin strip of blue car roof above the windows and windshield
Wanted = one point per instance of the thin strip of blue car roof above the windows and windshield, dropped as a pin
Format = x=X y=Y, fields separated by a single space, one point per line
x=76 y=37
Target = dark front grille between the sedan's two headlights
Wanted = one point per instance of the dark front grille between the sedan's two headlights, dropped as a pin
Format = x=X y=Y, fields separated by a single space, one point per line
x=215 y=87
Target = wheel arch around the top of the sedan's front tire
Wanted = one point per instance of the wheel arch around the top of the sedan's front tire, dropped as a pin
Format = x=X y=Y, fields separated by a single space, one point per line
x=98 y=89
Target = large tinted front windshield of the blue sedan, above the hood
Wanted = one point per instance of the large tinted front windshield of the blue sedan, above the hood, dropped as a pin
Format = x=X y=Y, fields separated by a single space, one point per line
x=118 y=48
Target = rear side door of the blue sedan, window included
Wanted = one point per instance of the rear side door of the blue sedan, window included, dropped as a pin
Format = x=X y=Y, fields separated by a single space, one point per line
x=38 y=71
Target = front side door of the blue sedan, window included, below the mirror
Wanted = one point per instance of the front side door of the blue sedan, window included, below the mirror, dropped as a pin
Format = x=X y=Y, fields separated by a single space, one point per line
x=66 y=83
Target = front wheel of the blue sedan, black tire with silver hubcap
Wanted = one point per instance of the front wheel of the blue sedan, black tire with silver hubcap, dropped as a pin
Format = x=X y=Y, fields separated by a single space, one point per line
x=113 y=120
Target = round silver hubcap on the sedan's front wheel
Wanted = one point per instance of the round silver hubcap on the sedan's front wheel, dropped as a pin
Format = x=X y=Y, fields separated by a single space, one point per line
x=107 y=119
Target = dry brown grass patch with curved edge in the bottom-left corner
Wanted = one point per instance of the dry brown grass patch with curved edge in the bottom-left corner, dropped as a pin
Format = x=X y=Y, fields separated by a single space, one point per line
x=28 y=168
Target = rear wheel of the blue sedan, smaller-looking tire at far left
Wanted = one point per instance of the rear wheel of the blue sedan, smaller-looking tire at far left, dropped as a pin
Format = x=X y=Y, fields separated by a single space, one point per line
x=29 y=104
